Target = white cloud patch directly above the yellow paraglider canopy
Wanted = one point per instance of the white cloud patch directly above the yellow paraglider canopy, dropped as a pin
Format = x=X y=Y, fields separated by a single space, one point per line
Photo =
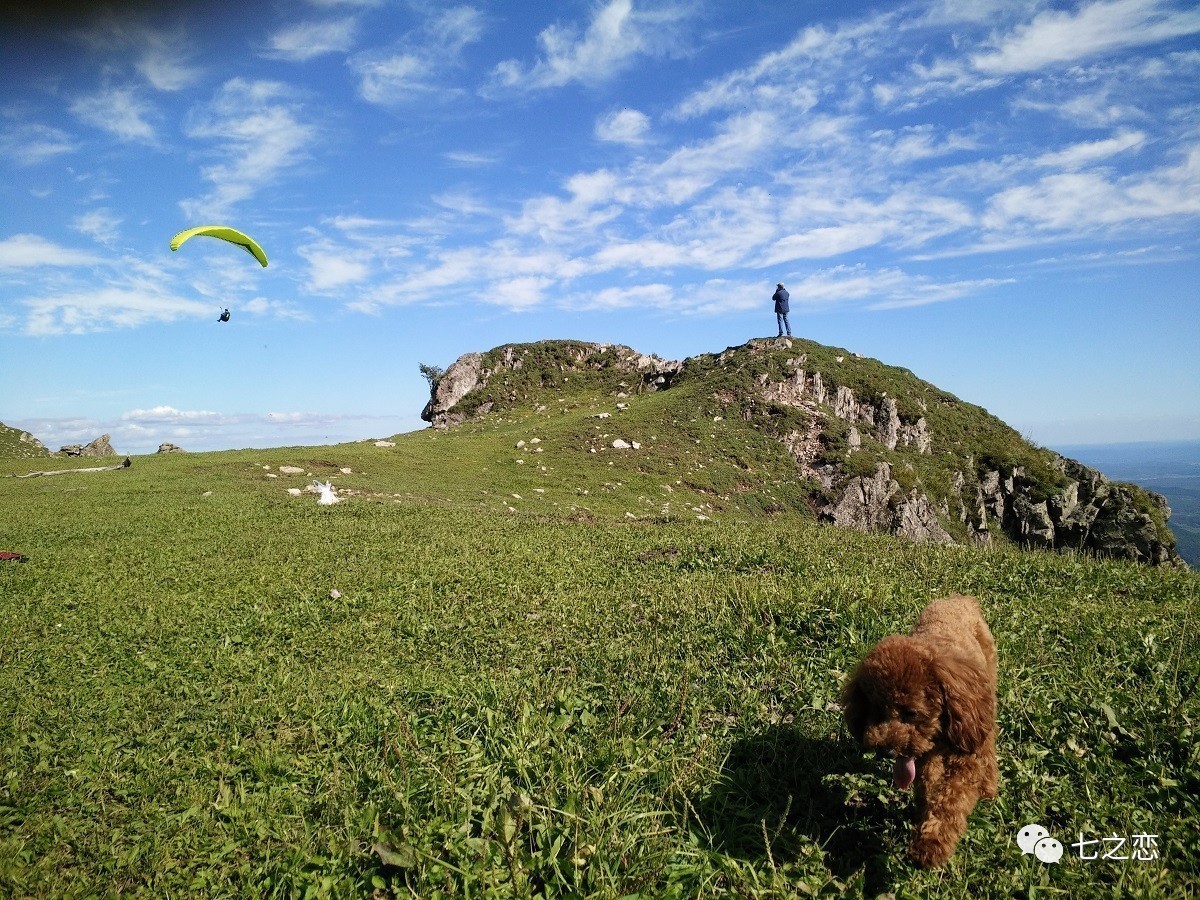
x=259 y=136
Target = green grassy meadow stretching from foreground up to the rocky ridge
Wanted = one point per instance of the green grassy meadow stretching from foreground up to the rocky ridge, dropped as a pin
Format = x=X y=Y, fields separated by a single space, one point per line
x=584 y=691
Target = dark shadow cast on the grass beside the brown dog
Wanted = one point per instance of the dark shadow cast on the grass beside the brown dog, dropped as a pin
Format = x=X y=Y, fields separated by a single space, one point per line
x=797 y=793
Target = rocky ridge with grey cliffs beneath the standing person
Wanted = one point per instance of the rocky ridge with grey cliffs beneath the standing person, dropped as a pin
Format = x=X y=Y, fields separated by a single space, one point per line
x=877 y=448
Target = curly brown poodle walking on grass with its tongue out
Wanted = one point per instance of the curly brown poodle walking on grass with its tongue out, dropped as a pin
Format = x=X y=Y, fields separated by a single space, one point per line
x=929 y=700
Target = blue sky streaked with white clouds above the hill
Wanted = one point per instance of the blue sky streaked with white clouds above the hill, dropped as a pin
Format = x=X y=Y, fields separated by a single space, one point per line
x=1004 y=197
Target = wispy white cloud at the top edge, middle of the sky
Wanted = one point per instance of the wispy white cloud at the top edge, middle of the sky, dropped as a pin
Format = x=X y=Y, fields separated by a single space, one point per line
x=616 y=37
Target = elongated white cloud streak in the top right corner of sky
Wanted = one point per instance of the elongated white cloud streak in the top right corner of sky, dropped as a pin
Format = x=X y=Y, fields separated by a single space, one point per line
x=1065 y=37
